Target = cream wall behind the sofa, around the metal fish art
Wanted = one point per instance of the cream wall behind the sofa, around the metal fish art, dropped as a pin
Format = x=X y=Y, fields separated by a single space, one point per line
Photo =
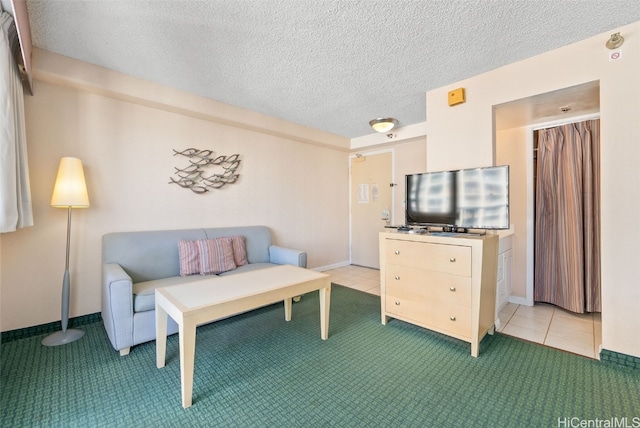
x=292 y=179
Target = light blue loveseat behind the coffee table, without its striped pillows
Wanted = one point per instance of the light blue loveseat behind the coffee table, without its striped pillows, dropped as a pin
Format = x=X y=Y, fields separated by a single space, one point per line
x=136 y=263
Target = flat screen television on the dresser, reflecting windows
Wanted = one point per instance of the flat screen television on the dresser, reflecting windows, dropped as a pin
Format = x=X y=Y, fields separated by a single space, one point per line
x=463 y=199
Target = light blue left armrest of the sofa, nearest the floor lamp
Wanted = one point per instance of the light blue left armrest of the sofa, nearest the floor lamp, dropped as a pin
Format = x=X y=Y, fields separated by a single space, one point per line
x=117 y=305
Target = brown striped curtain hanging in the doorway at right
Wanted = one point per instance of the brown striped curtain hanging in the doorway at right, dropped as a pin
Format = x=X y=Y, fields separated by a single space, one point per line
x=567 y=242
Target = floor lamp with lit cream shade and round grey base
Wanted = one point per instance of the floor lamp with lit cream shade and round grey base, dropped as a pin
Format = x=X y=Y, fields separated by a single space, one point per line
x=70 y=191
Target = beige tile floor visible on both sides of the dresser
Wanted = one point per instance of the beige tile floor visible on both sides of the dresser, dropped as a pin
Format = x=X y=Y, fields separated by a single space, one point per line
x=542 y=323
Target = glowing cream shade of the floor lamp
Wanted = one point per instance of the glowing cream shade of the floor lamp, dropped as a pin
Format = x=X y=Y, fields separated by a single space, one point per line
x=70 y=189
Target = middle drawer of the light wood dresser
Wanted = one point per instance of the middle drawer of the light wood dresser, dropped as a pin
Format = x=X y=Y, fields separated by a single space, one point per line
x=408 y=283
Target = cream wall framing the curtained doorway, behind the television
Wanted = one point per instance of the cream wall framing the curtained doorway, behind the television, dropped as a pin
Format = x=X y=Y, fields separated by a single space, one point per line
x=463 y=136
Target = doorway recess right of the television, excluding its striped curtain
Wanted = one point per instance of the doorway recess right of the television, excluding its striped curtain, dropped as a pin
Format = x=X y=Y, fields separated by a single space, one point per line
x=515 y=123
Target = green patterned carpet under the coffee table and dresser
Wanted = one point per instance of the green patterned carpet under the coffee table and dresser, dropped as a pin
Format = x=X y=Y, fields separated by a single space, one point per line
x=256 y=370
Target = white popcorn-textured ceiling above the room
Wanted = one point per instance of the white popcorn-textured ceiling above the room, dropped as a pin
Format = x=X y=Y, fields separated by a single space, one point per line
x=331 y=65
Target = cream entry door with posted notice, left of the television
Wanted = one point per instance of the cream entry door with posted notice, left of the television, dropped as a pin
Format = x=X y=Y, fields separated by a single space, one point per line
x=371 y=203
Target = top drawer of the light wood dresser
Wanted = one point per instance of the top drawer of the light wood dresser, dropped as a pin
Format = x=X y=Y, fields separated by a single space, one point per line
x=453 y=259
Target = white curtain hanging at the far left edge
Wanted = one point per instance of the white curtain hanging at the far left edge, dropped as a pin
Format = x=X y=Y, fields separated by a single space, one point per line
x=15 y=192
